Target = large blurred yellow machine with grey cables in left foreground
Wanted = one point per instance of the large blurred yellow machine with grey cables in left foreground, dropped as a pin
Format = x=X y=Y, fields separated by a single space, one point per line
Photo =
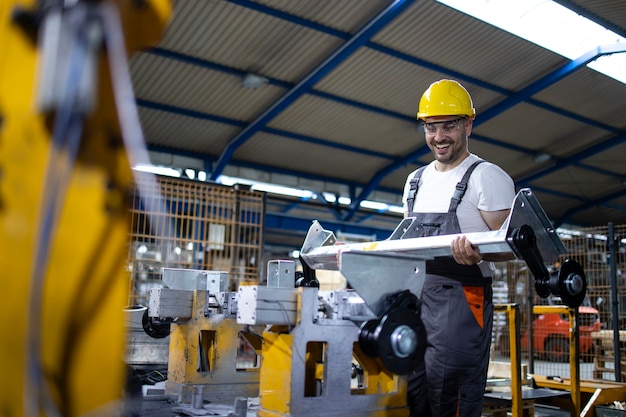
x=64 y=179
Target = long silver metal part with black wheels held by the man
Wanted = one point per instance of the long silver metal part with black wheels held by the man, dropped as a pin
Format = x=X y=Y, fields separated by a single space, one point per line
x=389 y=274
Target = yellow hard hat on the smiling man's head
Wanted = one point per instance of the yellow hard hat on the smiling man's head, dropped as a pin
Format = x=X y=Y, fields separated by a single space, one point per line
x=446 y=98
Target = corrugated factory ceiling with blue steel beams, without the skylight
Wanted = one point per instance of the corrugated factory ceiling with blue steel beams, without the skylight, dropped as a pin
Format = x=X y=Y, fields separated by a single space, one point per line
x=322 y=95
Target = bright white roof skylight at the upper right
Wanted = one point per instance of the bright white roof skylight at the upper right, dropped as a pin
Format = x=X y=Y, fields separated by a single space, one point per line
x=552 y=26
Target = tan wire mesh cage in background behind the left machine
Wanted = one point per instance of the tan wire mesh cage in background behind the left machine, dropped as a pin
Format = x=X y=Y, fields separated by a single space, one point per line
x=179 y=223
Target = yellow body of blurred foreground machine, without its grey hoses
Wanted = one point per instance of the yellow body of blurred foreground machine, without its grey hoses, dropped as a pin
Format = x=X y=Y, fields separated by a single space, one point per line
x=80 y=337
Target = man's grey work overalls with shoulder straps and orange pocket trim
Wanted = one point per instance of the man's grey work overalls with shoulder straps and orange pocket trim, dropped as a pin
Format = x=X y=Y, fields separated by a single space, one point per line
x=457 y=314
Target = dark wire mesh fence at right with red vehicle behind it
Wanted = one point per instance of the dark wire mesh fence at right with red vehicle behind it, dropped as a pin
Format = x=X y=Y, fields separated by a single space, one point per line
x=601 y=251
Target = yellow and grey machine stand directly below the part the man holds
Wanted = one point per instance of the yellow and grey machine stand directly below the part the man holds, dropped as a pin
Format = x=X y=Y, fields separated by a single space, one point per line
x=313 y=364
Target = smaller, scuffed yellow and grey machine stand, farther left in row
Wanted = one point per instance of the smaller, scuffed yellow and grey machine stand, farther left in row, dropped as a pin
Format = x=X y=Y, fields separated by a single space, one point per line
x=211 y=356
